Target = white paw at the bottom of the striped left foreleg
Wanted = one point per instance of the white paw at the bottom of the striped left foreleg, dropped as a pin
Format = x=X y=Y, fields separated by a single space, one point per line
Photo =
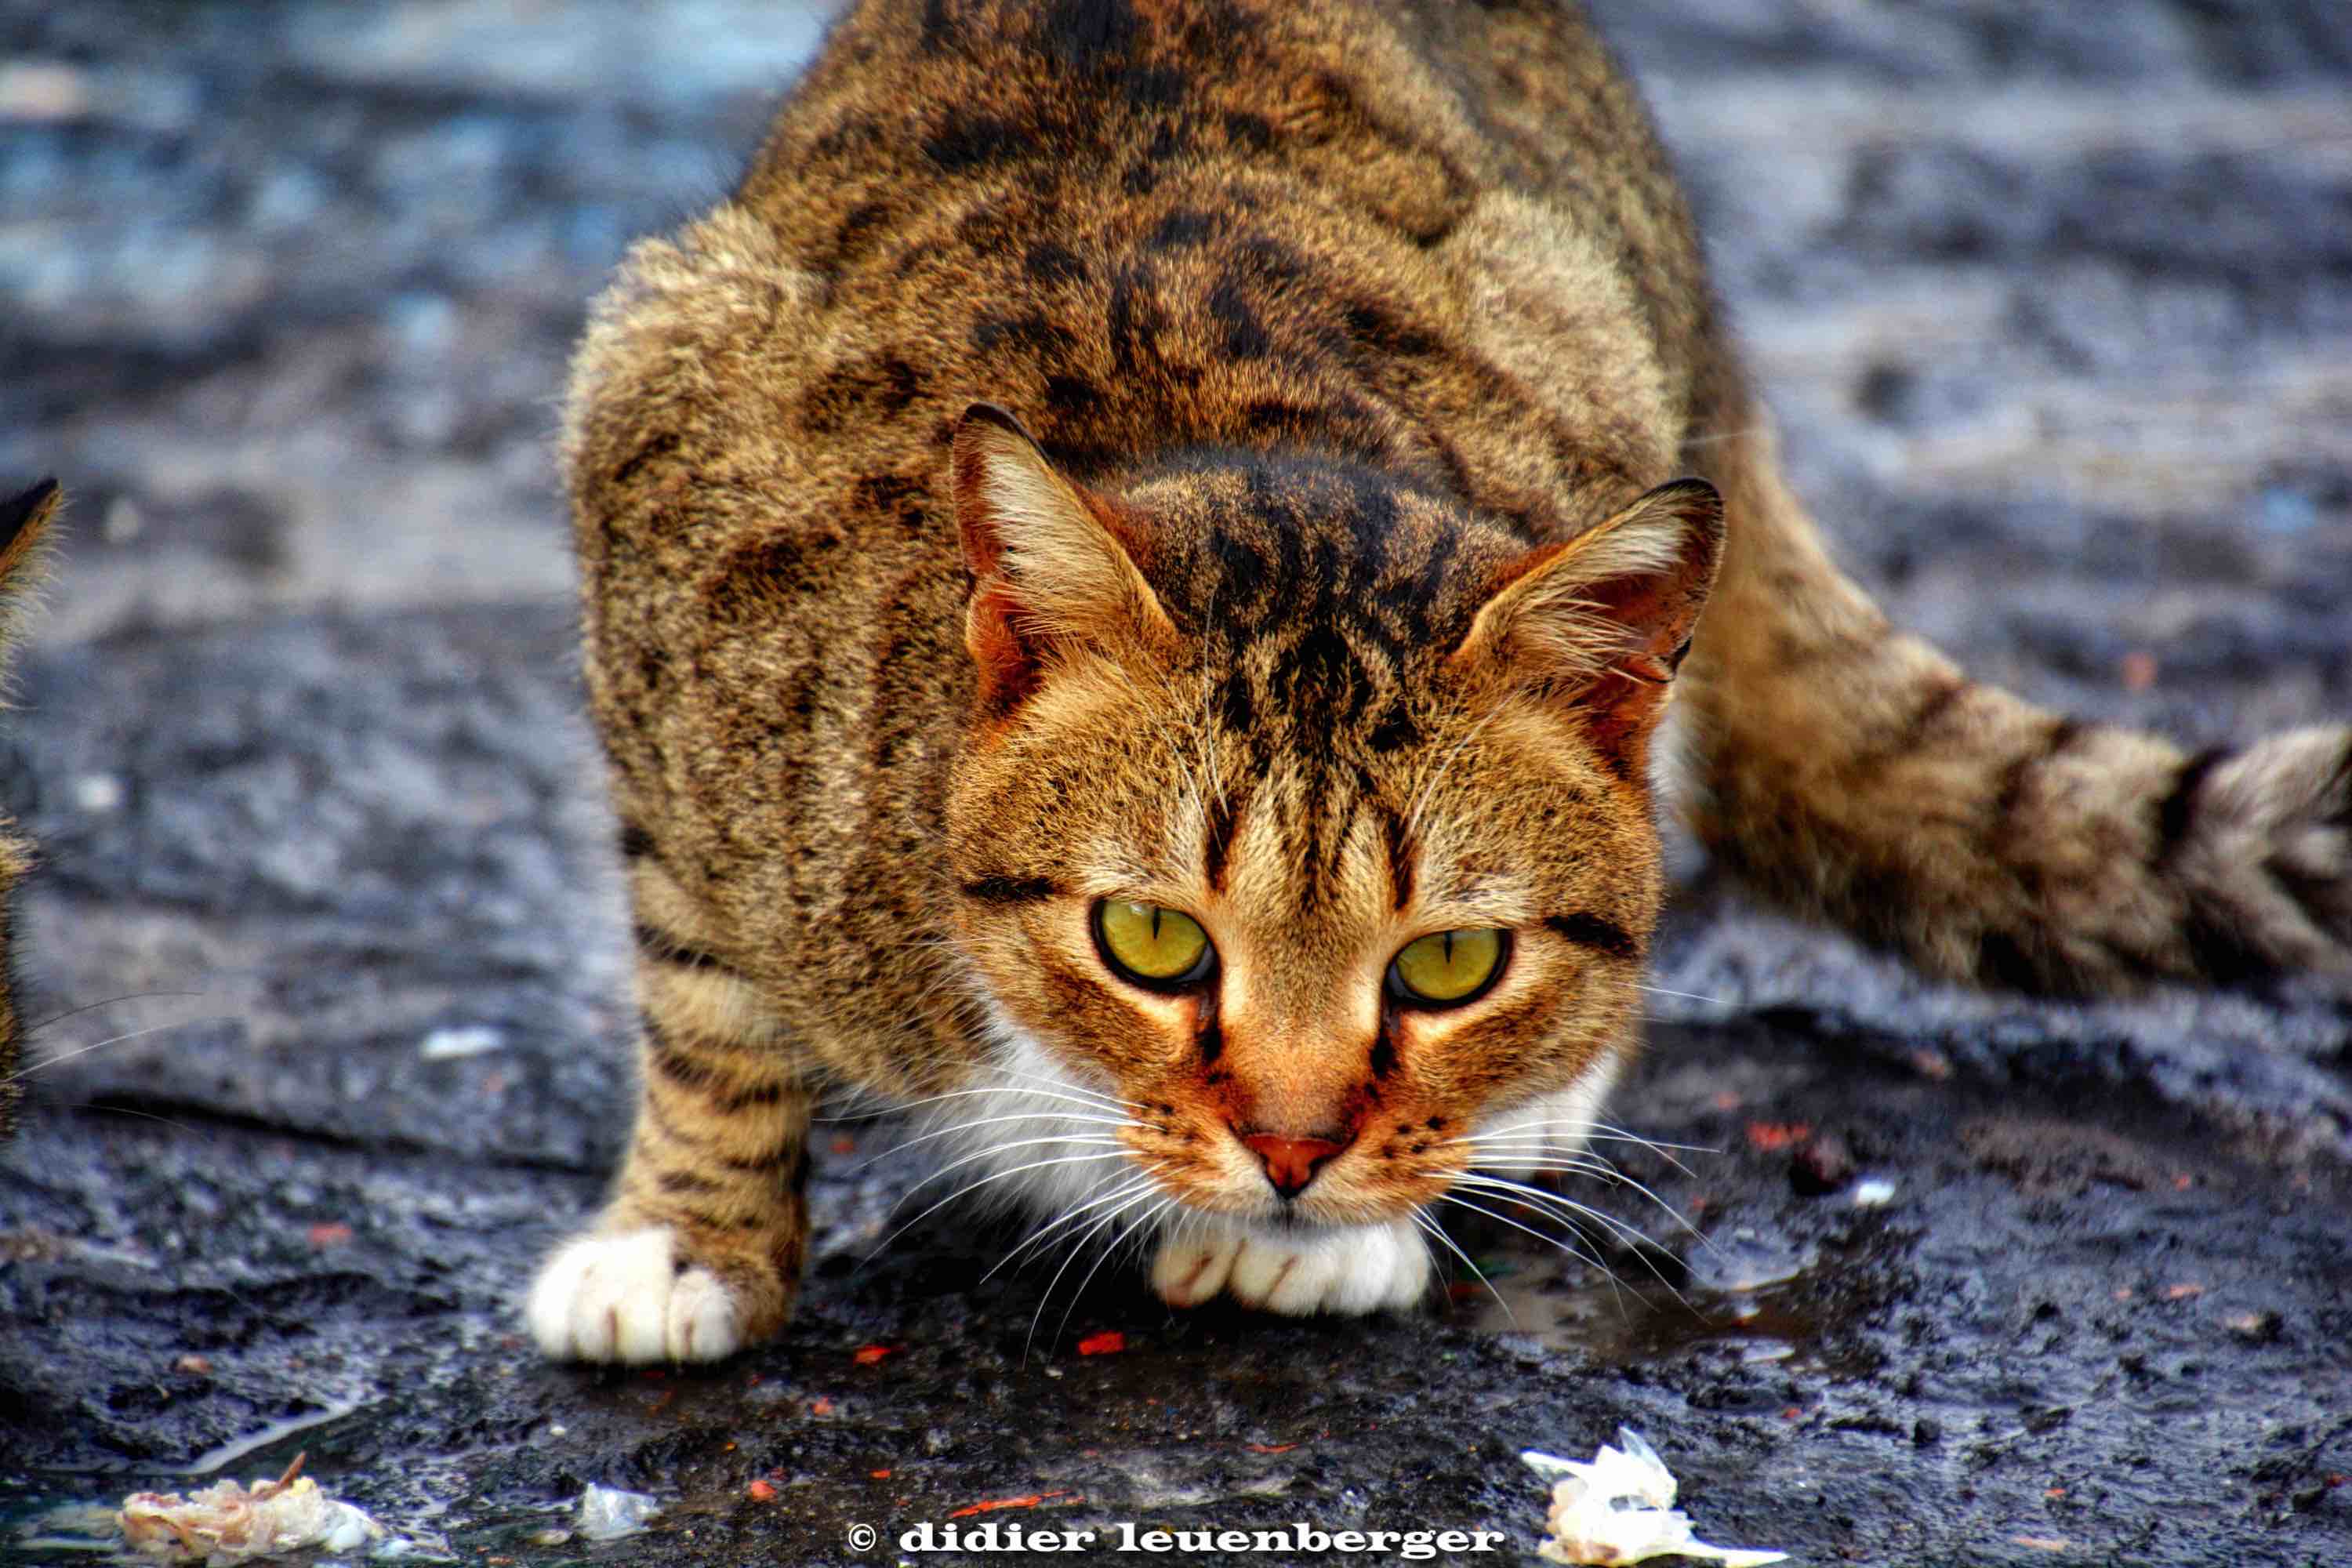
x=624 y=1299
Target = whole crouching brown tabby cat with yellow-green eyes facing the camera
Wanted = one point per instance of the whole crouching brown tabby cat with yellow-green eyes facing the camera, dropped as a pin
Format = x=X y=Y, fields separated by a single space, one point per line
x=1137 y=594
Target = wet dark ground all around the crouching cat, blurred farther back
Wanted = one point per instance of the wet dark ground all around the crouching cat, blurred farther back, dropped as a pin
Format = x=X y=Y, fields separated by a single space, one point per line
x=2057 y=311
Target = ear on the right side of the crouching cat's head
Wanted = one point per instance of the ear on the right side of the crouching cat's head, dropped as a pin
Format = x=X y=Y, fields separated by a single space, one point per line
x=1605 y=619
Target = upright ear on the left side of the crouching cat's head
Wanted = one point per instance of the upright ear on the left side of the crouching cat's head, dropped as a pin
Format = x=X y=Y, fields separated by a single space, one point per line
x=1053 y=565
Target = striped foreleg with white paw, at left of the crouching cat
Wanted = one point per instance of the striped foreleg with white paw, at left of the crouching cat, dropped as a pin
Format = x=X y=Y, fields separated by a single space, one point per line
x=702 y=1247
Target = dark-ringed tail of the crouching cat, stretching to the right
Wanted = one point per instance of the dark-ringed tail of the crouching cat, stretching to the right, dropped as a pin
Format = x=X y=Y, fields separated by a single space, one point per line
x=1855 y=772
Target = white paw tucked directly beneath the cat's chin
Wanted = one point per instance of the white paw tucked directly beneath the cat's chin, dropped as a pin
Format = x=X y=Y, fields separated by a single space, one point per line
x=1347 y=1271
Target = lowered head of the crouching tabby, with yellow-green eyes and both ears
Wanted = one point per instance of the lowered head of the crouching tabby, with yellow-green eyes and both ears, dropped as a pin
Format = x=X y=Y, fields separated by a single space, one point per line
x=1309 y=815
